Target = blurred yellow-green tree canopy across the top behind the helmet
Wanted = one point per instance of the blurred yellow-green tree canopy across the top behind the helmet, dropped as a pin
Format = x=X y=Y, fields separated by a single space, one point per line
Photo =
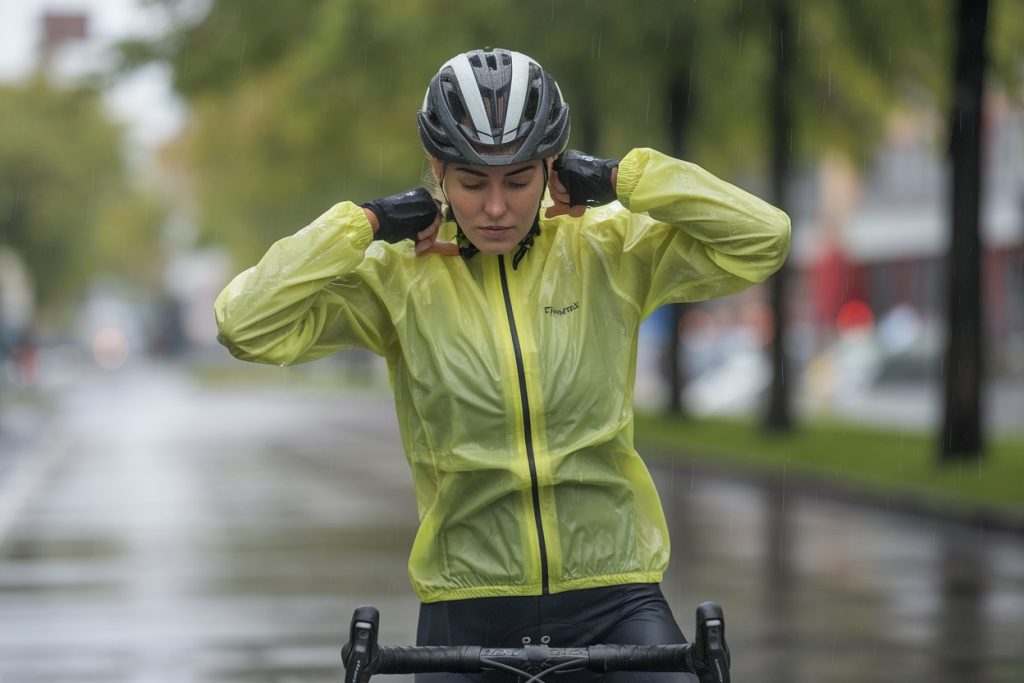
x=295 y=111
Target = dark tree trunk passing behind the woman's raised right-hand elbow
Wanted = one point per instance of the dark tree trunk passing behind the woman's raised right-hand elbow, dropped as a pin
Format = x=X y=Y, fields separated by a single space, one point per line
x=778 y=416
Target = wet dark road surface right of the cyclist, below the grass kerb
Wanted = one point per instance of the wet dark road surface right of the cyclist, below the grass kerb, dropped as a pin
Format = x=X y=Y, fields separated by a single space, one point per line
x=819 y=590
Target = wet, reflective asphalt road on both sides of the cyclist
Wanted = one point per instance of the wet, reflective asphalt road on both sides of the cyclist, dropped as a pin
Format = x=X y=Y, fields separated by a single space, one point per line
x=163 y=531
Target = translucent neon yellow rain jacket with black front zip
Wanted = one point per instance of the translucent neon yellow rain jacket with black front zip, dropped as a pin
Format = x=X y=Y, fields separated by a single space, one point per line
x=515 y=388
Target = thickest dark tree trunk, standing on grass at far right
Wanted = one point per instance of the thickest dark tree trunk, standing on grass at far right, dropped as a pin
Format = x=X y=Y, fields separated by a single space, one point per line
x=961 y=437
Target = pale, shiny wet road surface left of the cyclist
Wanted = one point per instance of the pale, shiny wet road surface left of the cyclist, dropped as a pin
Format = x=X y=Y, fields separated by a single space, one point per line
x=181 y=534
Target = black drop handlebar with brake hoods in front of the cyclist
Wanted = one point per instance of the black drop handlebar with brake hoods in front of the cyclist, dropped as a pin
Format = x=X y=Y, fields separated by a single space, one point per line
x=708 y=656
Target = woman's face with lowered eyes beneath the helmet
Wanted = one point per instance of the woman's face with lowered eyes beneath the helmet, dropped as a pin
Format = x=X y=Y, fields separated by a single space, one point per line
x=495 y=205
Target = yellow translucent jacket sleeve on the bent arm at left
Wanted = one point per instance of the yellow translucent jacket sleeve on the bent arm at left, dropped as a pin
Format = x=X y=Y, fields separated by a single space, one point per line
x=308 y=296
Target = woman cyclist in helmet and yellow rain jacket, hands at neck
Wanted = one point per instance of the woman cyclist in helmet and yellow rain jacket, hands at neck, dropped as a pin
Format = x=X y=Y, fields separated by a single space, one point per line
x=510 y=335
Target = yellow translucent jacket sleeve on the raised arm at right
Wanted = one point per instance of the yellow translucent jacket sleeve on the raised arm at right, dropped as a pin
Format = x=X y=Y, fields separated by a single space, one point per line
x=690 y=236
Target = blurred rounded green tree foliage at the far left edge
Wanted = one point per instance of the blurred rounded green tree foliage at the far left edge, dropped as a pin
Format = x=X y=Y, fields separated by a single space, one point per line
x=61 y=165
